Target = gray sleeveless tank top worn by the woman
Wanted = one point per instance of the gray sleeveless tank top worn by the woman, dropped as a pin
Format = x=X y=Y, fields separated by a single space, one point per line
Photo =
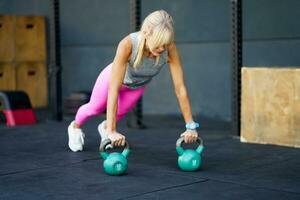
x=135 y=78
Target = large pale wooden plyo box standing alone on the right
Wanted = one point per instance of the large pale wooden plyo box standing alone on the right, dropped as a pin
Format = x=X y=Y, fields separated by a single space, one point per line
x=270 y=112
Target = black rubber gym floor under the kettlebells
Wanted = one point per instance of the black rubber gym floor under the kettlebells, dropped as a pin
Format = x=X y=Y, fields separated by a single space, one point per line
x=37 y=164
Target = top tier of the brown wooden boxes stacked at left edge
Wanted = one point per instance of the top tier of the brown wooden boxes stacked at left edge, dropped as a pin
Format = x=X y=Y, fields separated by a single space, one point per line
x=22 y=38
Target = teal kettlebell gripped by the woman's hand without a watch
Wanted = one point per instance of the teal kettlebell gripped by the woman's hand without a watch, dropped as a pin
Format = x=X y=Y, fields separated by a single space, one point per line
x=114 y=163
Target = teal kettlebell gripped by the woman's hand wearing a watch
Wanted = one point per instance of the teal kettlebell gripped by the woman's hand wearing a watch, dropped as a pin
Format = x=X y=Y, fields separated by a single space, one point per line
x=189 y=159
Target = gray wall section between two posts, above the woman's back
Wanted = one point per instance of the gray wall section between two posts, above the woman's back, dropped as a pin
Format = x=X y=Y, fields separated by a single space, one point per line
x=90 y=33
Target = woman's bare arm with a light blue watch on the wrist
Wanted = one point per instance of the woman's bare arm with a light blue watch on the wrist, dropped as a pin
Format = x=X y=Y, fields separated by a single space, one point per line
x=179 y=86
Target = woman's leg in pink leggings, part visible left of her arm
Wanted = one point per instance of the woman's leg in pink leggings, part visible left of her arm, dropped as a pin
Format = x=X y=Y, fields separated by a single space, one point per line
x=98 y=100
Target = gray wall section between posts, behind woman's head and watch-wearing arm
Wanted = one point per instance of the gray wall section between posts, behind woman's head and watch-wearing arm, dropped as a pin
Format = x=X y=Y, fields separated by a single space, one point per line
x=202 y=36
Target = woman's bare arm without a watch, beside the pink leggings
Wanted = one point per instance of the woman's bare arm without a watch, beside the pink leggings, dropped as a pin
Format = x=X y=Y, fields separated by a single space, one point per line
x=117 y=75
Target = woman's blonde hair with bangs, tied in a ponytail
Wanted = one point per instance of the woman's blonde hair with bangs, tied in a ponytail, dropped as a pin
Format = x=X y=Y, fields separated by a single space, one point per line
x=159 y=26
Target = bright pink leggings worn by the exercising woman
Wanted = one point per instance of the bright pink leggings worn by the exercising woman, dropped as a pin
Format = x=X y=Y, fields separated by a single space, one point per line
x=126 y=100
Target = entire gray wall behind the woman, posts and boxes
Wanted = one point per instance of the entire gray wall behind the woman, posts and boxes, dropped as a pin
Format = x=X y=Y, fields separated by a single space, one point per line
x=91 y=29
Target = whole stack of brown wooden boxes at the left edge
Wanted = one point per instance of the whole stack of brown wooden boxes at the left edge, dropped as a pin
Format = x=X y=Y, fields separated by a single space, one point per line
x=23 y=57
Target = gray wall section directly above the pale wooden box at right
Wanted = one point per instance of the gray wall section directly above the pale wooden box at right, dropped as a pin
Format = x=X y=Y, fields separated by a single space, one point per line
x=271 y=33
